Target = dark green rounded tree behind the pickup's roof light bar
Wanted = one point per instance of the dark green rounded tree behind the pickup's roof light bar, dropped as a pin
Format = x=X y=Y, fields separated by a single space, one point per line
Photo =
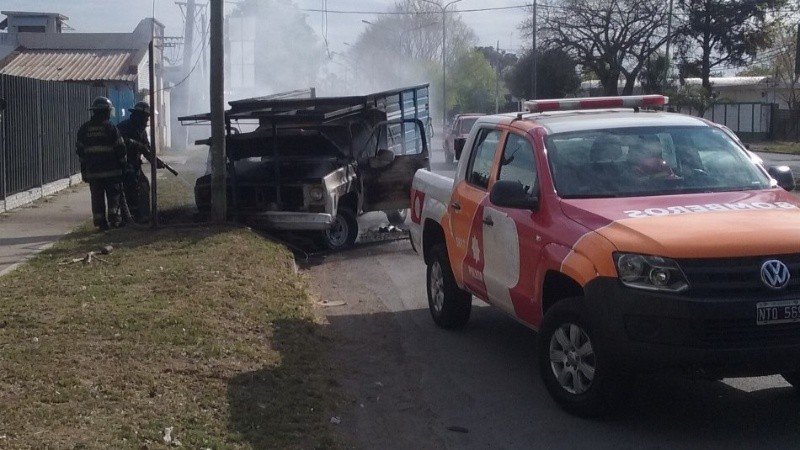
x=556 y=75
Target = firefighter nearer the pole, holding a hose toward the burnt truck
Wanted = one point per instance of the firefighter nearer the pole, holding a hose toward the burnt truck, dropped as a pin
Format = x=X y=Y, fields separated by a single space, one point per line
x=136 y=186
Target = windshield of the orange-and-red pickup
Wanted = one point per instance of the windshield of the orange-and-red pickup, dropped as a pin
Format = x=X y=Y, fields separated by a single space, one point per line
x=632 y=162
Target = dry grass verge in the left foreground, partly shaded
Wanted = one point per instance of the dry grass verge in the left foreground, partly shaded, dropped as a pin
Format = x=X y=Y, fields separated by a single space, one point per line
x=196 y=336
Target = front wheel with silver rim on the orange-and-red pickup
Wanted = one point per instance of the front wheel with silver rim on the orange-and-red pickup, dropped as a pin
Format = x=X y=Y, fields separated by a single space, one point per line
x=572 y=361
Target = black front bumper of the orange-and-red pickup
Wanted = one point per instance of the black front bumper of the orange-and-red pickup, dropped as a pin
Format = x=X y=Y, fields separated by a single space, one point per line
x=647 y=331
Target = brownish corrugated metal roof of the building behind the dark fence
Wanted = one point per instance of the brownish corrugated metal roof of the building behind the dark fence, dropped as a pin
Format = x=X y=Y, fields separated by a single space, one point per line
x=72 y=65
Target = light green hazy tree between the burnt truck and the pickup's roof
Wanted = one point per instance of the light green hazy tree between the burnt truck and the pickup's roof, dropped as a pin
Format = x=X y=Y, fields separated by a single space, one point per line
x=472 y=85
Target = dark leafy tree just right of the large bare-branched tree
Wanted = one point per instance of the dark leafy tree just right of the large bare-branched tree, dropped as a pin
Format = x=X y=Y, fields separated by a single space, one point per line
x=724 y=33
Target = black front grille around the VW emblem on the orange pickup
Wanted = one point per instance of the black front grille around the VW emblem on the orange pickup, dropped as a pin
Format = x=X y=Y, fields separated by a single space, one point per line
x=737 y=277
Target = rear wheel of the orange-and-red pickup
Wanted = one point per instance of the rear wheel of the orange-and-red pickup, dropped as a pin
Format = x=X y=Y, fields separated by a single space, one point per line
x=450 y=306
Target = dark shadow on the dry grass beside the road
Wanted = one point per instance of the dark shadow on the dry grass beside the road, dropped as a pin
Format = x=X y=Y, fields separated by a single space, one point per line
x=287 y=405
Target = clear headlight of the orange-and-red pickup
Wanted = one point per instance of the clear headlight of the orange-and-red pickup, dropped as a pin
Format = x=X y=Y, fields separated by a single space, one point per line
x=650 y=272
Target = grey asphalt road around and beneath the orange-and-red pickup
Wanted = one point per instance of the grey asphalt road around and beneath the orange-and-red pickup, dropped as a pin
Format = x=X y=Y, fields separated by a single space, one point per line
x=416 y=386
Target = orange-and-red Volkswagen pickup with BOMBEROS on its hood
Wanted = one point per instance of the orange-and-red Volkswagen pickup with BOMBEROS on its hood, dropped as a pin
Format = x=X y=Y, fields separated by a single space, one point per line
x=632 y=240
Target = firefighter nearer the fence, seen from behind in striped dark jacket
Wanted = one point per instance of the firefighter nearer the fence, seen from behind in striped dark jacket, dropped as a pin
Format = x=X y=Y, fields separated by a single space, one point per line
x=102 y=155
